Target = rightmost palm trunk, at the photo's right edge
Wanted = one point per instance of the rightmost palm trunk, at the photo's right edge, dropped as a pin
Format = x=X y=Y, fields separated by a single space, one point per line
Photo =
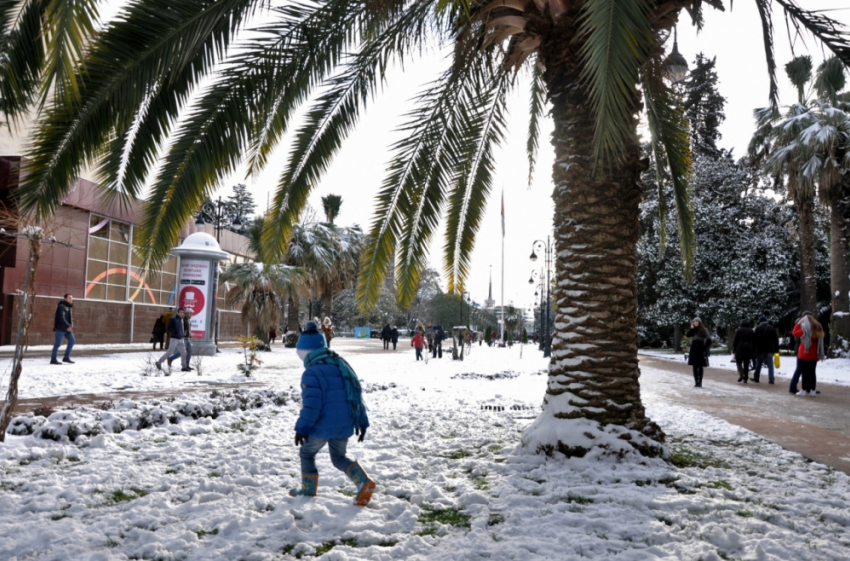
x=839 y=273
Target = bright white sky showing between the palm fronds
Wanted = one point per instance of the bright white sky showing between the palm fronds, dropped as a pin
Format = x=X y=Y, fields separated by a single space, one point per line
x=734 y=38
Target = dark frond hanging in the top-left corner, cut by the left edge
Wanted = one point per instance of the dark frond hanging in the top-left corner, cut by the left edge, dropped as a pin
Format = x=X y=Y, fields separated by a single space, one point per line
x=21 y=55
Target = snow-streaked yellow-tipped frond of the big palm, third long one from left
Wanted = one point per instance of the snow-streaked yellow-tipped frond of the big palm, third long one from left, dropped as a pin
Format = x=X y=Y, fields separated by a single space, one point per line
x=334 y=115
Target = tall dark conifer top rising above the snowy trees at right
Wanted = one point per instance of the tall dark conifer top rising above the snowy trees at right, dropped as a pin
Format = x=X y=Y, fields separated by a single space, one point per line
x=704 y=107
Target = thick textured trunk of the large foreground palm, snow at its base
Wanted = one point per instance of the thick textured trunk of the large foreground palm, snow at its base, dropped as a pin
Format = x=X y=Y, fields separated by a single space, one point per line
x=593 y=397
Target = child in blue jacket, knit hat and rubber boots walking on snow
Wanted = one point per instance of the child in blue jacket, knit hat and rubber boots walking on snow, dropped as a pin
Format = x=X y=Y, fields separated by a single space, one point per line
x=332 y=410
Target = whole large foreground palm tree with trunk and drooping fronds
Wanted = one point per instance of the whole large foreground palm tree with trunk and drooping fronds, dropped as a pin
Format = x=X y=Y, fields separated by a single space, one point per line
x=598 y=63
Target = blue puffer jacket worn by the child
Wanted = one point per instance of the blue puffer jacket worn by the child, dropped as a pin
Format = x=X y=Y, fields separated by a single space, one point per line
x=325 y=411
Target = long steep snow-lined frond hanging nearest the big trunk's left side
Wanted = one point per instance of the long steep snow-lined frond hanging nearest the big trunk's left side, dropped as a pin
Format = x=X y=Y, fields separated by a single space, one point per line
x=480 y=131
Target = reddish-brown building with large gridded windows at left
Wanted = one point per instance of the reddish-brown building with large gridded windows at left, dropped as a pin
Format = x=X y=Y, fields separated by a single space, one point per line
x=114 y=301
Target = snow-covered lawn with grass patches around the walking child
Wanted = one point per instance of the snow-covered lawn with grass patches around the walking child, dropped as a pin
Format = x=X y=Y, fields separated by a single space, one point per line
x=443 y=449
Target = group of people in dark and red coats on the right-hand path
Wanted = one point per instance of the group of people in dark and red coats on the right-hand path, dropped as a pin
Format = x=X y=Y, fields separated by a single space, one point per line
x=759 y=348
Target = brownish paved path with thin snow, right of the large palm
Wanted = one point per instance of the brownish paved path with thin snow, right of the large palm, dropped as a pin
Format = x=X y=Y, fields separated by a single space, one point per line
x=816 y=427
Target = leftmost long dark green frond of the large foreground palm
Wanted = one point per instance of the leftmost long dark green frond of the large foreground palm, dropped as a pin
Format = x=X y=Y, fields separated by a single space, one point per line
x=114 y=81
